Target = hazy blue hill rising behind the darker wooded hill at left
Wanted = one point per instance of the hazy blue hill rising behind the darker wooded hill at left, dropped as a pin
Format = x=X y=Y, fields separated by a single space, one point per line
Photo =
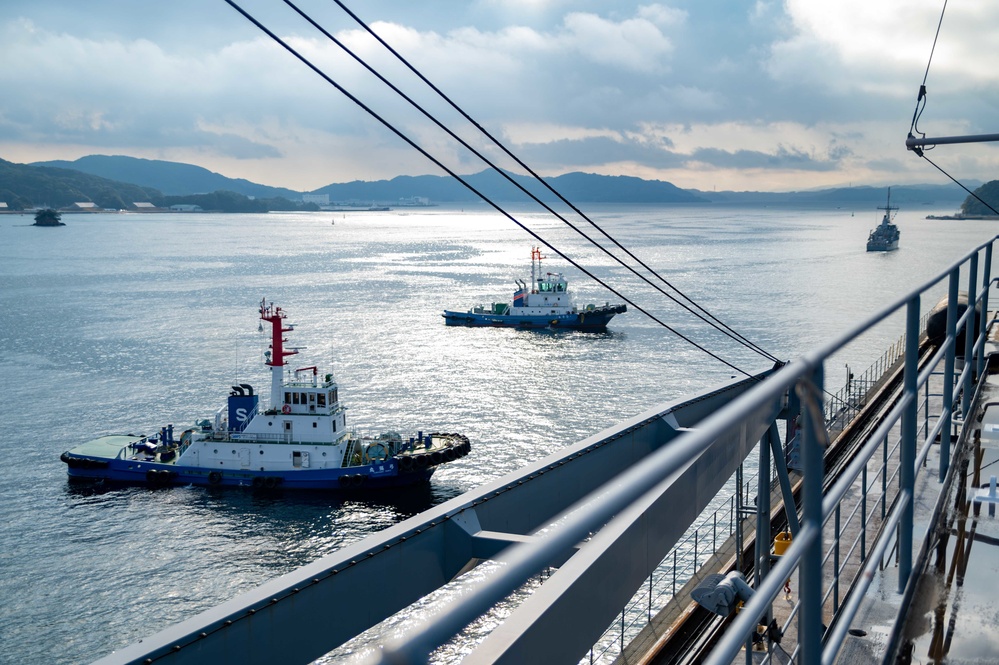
x=171 y=178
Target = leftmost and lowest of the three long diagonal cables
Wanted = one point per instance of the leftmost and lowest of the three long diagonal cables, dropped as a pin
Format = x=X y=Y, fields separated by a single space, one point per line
x=469 y=186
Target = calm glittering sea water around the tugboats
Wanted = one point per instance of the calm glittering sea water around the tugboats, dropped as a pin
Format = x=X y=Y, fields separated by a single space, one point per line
x=123 y=323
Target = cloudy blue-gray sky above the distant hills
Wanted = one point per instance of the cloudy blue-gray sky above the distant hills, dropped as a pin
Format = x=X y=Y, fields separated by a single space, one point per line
x=706 y=94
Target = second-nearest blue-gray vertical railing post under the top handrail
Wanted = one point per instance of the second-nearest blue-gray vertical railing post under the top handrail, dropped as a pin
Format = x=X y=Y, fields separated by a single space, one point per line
x=907 y=456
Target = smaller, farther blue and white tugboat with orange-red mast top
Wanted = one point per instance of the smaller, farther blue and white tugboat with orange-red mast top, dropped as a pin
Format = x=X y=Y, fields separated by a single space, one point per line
x=545 y=303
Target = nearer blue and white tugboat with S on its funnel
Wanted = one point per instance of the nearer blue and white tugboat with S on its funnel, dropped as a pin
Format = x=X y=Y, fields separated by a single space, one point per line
x=299 y=440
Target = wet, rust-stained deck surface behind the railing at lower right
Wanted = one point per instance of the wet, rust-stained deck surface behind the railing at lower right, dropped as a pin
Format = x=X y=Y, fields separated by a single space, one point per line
x=953 y=612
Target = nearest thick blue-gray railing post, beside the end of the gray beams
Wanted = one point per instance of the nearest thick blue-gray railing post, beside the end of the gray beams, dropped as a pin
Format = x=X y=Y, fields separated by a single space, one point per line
x=810 y=571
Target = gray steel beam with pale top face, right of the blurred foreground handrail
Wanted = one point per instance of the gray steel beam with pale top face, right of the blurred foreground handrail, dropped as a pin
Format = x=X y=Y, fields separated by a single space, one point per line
x=561 y=620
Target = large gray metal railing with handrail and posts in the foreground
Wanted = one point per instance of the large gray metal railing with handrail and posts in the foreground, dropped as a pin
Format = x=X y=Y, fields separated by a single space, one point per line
x=592 y=513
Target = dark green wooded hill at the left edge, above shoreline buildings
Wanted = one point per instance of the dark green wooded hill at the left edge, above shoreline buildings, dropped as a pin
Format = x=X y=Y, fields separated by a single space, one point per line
x=23 y=186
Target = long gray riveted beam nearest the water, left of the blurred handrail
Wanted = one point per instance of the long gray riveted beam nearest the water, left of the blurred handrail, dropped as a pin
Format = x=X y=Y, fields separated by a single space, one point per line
x=309 y=612
